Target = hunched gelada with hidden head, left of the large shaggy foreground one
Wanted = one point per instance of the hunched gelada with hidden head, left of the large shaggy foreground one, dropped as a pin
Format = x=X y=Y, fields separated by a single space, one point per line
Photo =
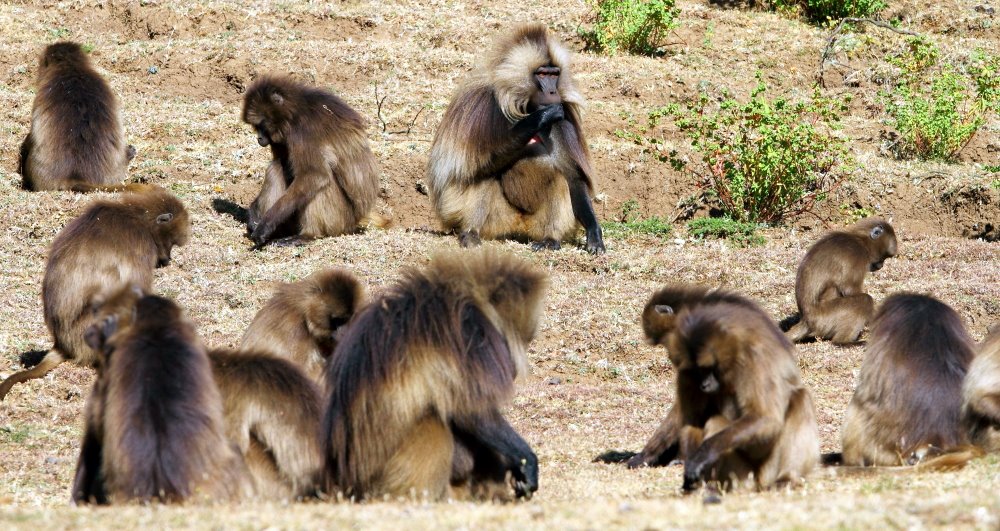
x=272 y=412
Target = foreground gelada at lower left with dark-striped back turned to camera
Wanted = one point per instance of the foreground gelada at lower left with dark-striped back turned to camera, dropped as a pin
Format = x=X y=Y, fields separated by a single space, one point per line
x=154 y=426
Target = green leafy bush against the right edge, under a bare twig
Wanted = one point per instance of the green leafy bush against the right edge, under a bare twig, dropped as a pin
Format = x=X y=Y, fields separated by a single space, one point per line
x=936 y=106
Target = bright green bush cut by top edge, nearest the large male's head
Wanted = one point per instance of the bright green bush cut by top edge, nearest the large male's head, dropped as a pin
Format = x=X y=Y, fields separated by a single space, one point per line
x=631 y=26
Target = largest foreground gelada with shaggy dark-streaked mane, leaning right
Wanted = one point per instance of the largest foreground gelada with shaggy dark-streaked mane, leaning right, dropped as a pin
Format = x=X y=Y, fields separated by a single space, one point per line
x=423 y=370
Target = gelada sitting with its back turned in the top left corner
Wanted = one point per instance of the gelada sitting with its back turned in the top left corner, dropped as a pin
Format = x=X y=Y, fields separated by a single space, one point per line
x=76 y=141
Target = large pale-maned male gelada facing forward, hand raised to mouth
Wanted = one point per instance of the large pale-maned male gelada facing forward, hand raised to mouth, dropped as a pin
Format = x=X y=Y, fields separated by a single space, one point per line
x=509 y=158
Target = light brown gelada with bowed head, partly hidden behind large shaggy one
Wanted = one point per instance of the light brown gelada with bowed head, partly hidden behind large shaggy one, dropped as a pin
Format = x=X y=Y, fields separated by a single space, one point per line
x=303 y=319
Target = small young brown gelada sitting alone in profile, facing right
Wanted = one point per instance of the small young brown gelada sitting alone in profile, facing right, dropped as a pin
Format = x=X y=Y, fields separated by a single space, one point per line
x=829 y=285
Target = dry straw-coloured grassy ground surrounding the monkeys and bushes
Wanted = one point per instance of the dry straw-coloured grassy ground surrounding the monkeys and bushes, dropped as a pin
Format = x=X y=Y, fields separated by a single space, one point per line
x=613 y=389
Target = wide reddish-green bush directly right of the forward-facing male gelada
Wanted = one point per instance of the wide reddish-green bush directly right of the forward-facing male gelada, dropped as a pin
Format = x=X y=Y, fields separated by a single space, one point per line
x=765 y=159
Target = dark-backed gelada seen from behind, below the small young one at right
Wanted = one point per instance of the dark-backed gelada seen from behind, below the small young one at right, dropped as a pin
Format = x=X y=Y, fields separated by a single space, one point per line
x=909 y=395
